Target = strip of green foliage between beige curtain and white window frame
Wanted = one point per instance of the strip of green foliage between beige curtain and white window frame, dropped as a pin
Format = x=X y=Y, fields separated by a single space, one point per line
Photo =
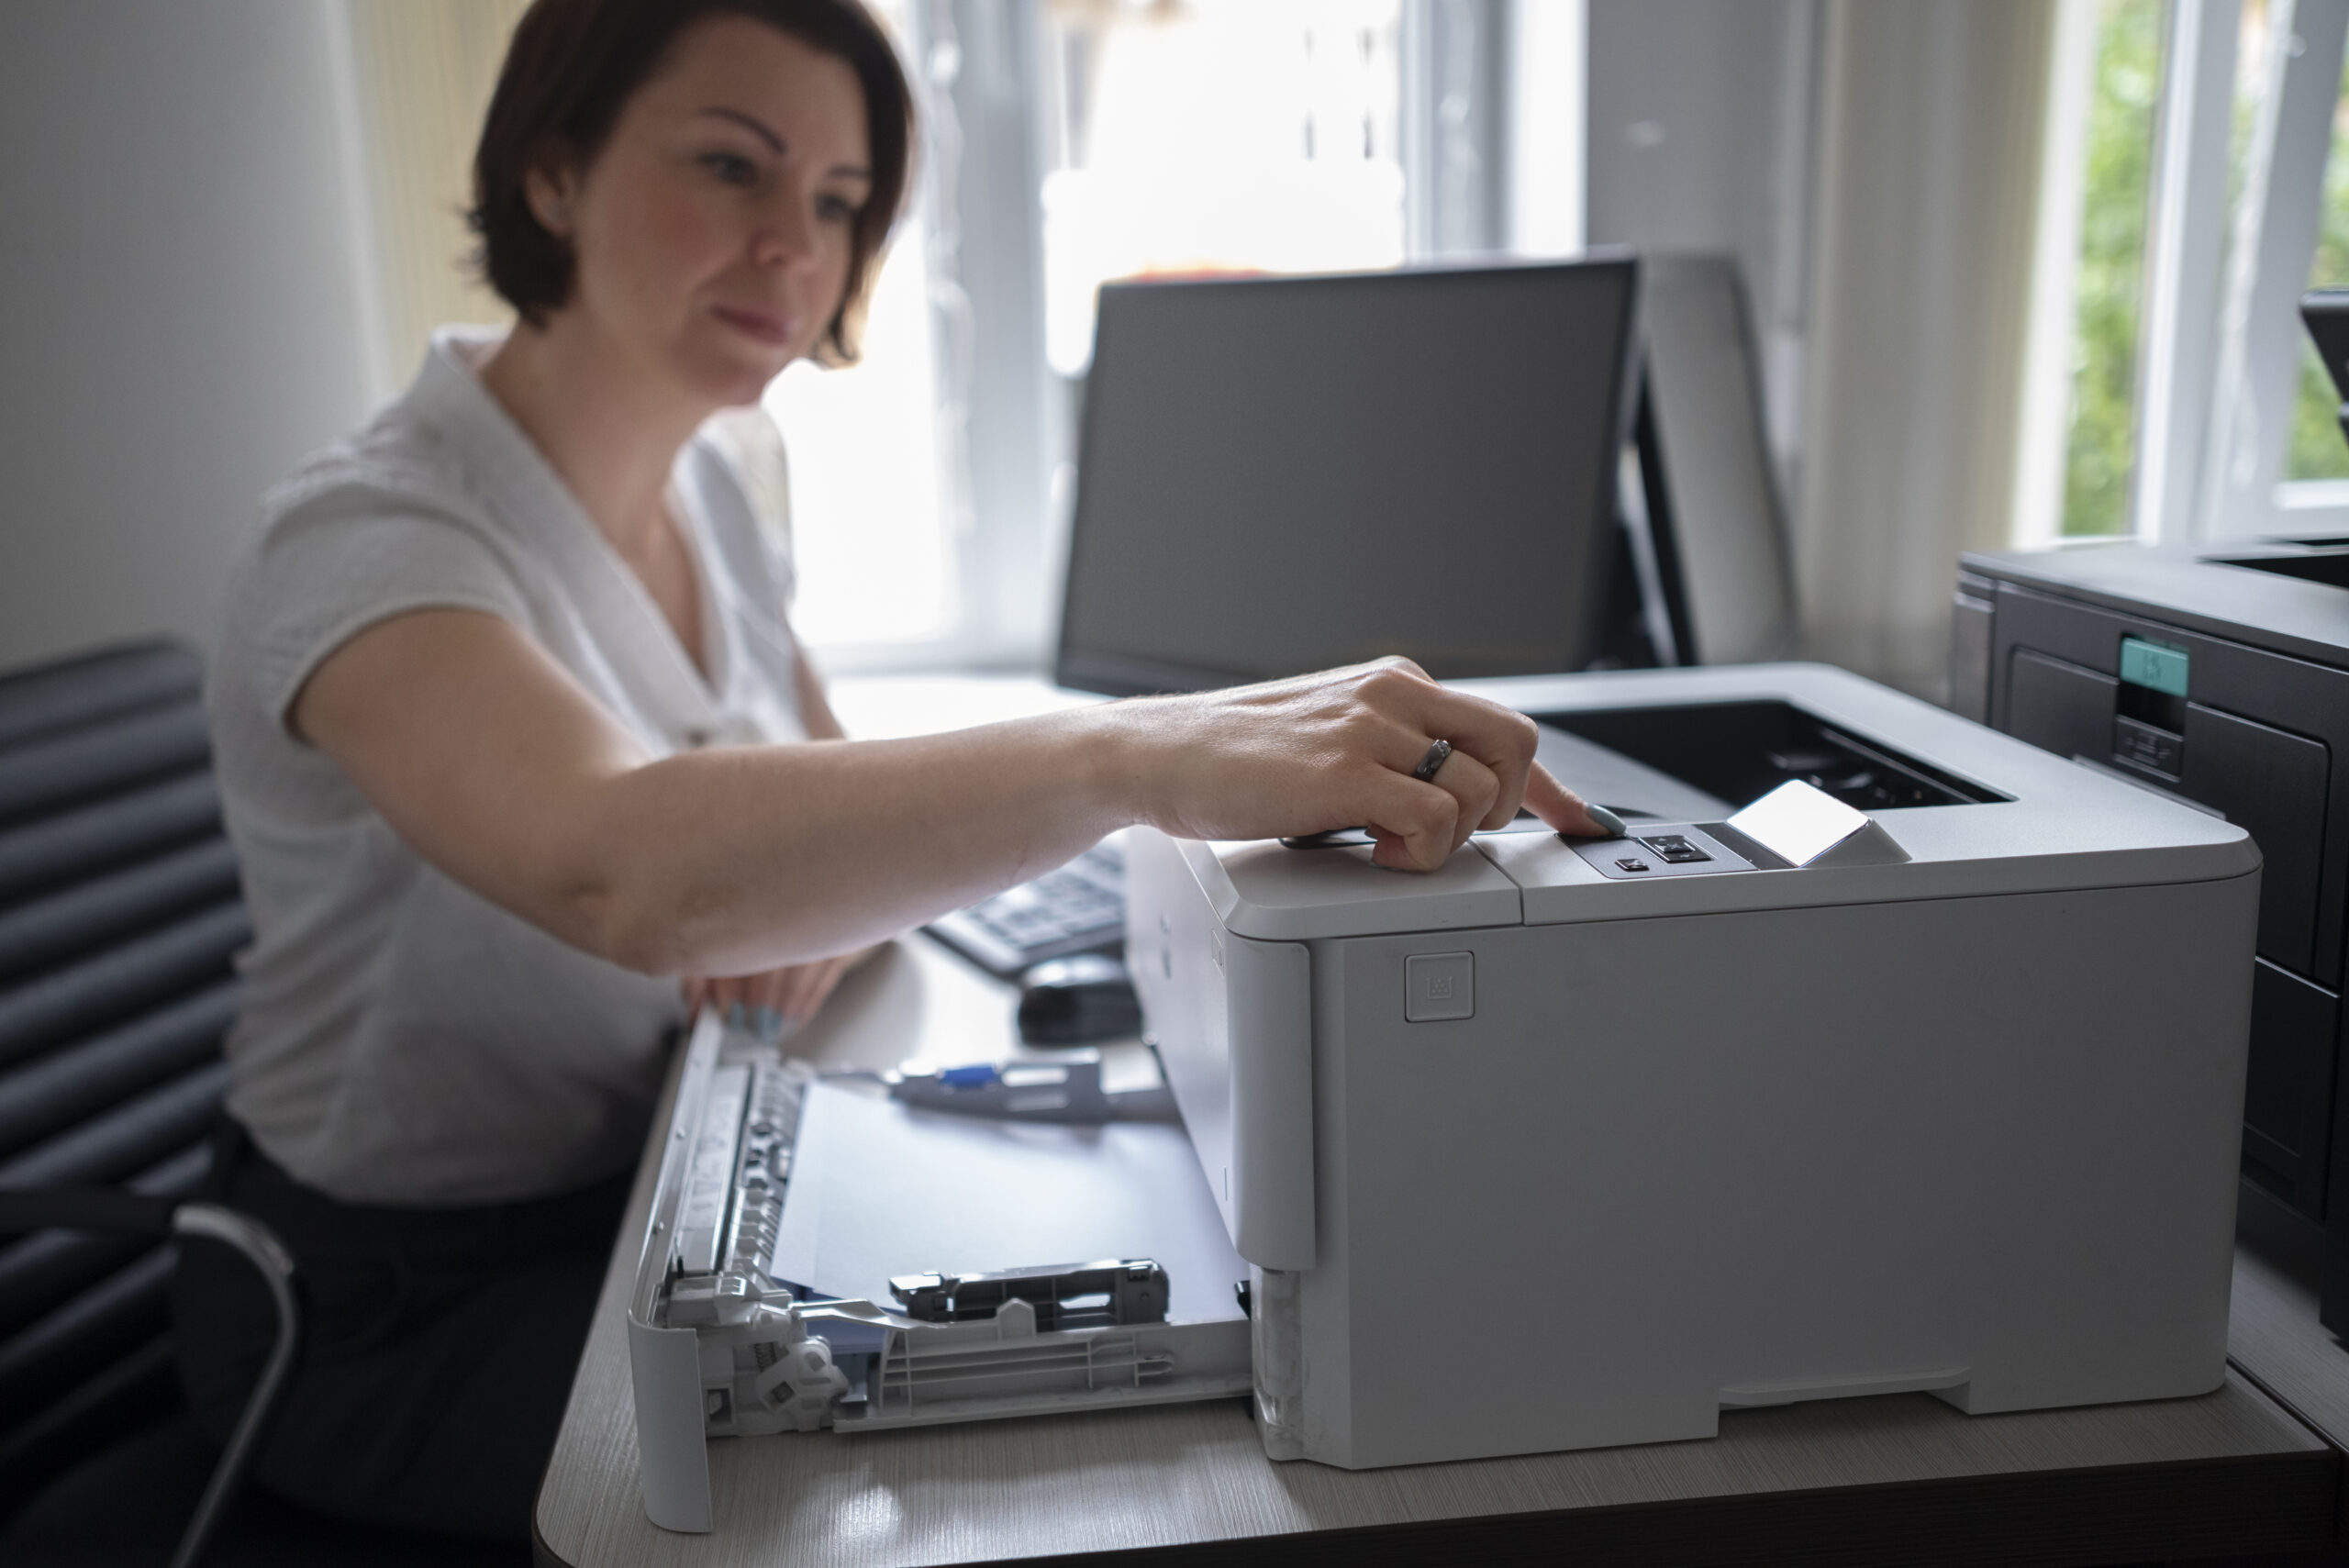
x=2115 y=205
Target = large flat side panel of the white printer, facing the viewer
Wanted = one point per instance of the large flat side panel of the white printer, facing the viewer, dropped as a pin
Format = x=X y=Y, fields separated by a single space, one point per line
x=1981 y=1147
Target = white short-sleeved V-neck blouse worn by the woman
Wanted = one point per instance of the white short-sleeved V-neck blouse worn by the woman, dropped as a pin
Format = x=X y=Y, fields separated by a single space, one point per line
x=401 y=1039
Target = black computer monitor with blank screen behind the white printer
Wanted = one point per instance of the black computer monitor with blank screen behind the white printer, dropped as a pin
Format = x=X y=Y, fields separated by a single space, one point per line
x=1298 y=473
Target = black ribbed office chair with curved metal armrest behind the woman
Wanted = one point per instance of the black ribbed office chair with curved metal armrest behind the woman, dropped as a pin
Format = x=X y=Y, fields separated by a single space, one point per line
x=119 y=921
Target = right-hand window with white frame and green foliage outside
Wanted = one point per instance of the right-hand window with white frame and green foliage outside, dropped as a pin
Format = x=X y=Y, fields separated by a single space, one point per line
x=2209 y=201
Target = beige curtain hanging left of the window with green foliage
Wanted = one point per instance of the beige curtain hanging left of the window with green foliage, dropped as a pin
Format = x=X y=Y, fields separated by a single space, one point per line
x=1930 y=161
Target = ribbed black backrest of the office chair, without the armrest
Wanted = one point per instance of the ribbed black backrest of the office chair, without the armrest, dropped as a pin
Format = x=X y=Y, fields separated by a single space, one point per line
x=119 y=919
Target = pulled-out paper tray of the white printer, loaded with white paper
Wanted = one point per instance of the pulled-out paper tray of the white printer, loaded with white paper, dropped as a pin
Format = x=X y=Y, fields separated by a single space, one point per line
x=931 y=1182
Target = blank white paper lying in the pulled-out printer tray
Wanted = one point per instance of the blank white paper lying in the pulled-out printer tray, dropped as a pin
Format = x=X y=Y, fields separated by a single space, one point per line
x=882 y=1189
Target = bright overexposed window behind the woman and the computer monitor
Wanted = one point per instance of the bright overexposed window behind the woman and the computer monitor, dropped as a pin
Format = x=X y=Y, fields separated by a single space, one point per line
x=1072 y=142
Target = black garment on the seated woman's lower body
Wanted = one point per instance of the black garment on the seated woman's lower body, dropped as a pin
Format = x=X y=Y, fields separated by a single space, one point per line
x=438 y=1344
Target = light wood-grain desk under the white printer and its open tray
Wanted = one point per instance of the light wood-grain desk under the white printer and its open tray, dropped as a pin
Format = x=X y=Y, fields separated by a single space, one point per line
x=1862 y=1480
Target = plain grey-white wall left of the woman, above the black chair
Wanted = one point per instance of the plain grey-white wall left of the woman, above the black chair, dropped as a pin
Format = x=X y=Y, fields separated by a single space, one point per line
x=180 y=302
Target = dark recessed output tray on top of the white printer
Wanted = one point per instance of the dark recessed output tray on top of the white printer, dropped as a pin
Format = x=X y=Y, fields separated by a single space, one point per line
x=1746 y=750
